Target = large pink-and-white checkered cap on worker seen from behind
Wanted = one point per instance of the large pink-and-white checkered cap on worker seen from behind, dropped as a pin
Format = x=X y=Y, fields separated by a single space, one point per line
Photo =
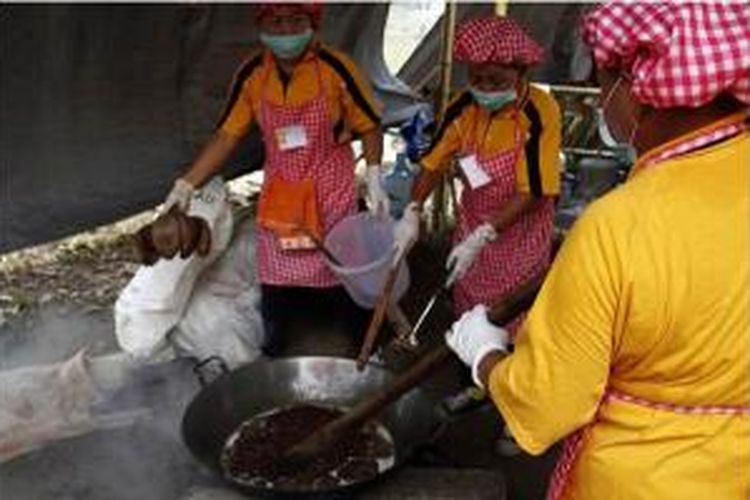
x=679 y=54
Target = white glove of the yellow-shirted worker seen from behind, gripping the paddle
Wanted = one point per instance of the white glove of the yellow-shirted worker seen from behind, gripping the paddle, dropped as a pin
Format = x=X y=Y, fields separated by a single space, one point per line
x=472 y=337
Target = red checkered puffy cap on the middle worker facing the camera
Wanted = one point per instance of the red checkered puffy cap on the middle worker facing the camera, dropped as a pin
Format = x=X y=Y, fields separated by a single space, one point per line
x=495 y=40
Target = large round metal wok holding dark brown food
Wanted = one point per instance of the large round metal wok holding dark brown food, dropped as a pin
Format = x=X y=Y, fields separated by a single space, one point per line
x=232 y=398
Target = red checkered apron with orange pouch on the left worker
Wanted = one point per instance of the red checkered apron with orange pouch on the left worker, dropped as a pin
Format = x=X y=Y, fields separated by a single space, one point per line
x=331 y=165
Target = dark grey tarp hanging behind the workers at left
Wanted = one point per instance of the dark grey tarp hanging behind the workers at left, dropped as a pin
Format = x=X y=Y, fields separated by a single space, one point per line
x=101 y=106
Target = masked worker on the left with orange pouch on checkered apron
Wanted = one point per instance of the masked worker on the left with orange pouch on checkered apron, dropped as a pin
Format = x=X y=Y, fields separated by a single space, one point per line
x=307 y=99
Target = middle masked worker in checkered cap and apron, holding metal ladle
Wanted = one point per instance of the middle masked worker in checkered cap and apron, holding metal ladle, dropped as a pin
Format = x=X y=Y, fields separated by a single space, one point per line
x=505 y=134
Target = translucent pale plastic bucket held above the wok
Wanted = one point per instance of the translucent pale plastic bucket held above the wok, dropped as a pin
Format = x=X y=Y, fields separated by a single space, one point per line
x=363 y=245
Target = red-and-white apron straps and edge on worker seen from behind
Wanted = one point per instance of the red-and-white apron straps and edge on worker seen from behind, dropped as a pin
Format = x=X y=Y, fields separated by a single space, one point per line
x=574 y=443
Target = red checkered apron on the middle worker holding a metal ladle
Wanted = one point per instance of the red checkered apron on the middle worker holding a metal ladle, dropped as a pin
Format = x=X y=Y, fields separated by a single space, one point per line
x=520 y=252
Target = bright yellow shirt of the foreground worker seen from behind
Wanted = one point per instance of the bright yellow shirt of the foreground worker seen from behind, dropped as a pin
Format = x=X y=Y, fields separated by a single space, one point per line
x=650 y=296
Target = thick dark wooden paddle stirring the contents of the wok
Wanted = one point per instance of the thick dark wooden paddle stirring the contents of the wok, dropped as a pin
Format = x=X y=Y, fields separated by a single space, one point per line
x=334 y=431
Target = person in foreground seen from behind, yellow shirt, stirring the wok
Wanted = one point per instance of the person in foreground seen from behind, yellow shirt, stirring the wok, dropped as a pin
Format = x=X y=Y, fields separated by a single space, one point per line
x=638 y=346
